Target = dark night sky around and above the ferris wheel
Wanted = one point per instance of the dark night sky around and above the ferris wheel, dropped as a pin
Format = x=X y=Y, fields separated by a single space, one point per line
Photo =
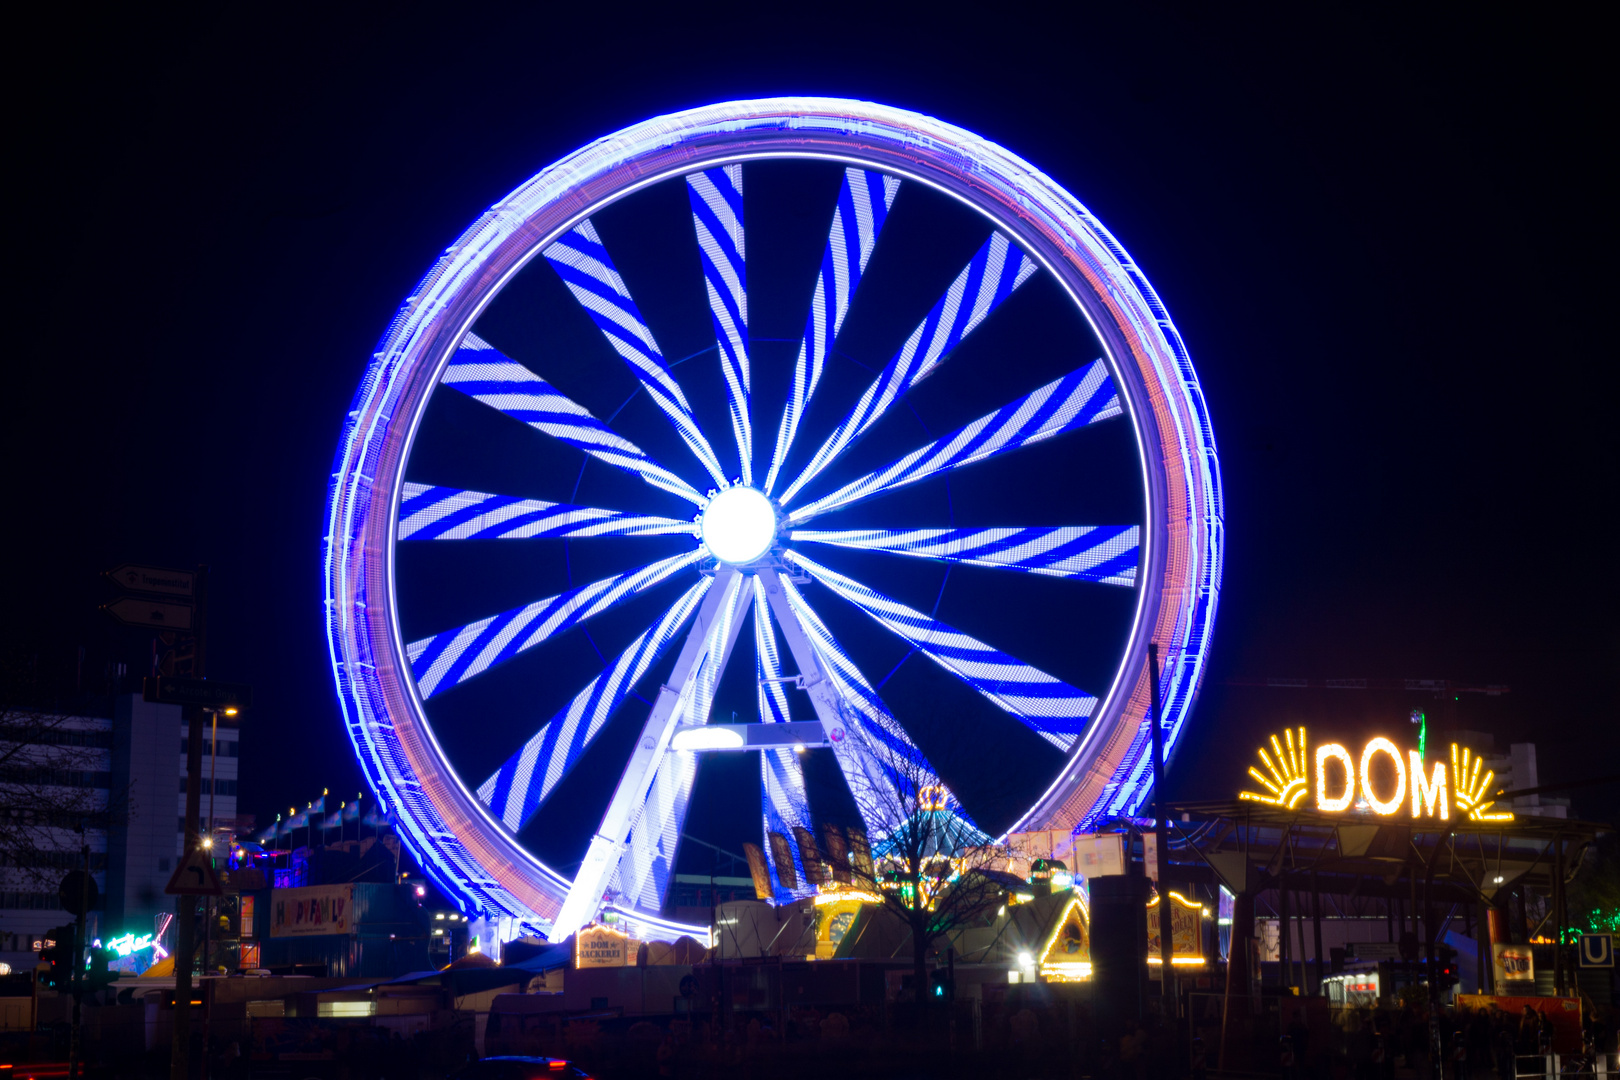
x=1384 y=240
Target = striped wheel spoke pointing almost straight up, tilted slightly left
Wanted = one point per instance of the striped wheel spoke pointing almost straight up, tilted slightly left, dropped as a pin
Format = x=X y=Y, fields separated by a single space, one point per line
x=717 y=215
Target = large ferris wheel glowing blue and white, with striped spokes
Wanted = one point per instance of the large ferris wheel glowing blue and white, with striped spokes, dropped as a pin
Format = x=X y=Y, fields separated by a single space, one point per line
x=799 y=410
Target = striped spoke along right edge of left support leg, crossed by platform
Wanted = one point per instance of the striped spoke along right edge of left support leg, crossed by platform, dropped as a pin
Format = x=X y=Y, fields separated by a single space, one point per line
x=649 y=862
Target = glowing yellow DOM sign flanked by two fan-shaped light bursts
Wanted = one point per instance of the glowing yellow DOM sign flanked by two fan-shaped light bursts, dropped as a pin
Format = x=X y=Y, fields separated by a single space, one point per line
x=1381 y=780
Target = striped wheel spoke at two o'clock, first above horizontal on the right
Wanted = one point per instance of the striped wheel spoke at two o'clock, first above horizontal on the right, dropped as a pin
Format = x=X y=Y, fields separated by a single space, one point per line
x=1078 y=399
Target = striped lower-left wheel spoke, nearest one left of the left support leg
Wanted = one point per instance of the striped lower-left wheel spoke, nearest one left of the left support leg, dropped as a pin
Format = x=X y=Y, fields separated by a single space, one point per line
x=521 y=786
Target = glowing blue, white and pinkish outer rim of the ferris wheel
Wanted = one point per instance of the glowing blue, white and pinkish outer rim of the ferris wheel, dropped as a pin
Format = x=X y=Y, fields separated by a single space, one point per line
x=471 y=856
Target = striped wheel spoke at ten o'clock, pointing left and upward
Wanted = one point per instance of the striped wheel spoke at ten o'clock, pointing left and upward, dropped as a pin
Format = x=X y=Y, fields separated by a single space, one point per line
x=484 y=373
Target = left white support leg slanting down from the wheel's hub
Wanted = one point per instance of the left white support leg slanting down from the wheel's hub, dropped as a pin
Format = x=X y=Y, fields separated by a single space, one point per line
x=608 y=846
